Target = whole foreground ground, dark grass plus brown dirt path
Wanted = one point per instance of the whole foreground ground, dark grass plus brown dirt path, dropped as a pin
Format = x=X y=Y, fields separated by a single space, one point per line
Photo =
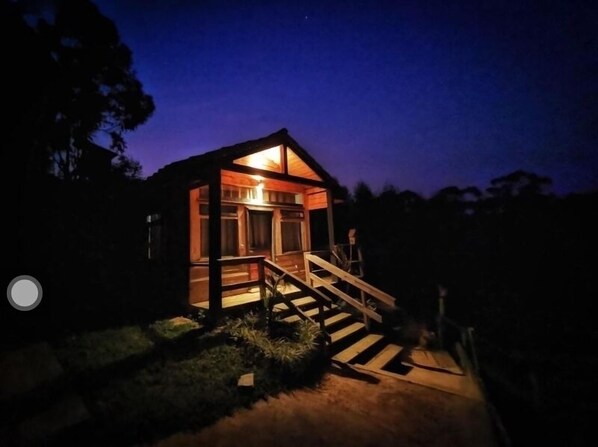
x=136 y=384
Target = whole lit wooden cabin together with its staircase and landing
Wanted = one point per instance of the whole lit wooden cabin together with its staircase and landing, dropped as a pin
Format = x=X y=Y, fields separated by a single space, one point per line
x=221 y=222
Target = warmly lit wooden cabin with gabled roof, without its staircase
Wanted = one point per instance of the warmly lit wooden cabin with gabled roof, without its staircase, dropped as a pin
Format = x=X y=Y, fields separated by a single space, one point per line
x=261 y=197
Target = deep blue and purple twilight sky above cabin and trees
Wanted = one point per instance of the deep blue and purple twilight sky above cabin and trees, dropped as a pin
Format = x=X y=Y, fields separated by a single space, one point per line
x=418 y=94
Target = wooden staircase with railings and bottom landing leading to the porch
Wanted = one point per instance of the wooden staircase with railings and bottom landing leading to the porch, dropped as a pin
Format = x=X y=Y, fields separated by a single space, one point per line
x=327 y=301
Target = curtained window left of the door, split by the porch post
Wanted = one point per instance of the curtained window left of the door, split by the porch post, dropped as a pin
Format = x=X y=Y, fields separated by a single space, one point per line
x=229 y=231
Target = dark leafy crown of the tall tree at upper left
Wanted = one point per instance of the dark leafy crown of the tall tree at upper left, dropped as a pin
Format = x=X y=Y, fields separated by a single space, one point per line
x=88 y=85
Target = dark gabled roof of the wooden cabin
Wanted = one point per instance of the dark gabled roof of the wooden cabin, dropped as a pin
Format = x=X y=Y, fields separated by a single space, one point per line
x=187 y=169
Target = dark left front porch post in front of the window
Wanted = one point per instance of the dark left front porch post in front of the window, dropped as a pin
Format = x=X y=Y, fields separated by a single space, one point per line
x=215 y=250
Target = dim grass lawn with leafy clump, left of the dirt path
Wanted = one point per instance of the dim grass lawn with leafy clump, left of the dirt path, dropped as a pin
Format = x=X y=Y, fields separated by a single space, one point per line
x=143 y=383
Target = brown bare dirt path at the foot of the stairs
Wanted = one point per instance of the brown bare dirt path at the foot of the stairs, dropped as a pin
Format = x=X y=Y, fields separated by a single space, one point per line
x=350 y=411
